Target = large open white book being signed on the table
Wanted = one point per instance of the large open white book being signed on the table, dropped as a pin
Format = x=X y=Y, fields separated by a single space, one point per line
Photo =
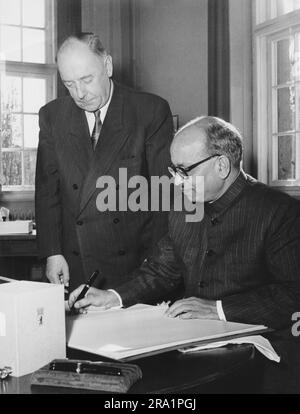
x=126 y=334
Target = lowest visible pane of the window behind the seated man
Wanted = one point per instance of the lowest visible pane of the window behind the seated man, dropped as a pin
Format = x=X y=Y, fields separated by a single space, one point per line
x=286 y=157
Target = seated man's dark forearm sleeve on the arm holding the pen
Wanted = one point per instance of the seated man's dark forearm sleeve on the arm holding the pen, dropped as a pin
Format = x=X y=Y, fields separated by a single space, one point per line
x=159 y=277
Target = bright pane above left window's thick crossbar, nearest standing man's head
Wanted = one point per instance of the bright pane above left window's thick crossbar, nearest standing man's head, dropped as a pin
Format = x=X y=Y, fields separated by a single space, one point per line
x=33 y=45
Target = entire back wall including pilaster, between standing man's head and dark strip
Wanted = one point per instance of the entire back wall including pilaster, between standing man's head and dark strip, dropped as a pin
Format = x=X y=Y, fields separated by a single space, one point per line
x=163 y=46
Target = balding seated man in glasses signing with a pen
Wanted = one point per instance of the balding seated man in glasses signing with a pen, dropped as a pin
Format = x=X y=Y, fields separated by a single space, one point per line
x=241 y=261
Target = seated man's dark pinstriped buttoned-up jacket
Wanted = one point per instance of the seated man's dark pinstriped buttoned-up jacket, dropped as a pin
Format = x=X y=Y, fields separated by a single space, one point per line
x=245 y=252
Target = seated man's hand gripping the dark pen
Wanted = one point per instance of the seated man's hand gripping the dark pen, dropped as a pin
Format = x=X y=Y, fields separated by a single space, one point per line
x=95 y=297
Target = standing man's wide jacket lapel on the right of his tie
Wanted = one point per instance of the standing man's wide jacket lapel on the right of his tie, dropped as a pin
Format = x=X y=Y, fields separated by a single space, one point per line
x=113 y=136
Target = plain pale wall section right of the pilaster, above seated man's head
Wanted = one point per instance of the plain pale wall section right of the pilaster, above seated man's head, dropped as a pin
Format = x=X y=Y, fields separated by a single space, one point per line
x=171 y=53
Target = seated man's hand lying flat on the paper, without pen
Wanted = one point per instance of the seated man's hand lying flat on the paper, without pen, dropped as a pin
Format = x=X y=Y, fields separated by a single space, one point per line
x=193 y=308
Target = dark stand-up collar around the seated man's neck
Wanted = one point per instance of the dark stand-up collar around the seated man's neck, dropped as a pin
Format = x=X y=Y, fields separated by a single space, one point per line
x=218 y=206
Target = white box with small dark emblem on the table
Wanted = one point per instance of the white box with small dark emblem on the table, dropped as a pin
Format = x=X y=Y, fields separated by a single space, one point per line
x=32 y=325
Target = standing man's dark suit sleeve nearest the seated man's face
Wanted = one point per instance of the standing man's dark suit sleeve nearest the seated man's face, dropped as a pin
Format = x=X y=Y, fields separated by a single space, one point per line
x=158 y=141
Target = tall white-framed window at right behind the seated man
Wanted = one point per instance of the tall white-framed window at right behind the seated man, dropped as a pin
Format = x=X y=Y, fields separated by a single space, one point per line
x=277 y=92
